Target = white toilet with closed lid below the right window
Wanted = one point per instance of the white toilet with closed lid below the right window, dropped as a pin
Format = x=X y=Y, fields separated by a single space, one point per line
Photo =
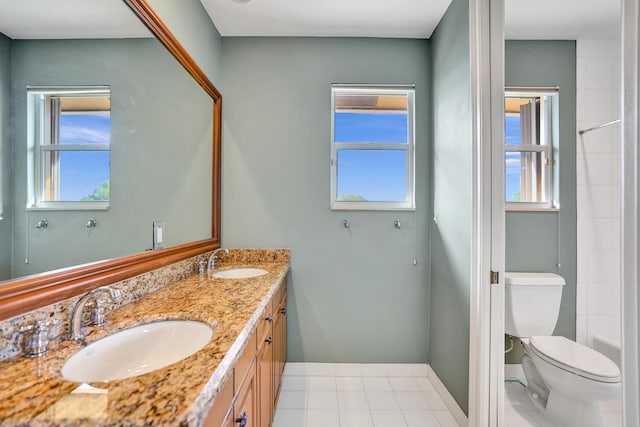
x=564 y=379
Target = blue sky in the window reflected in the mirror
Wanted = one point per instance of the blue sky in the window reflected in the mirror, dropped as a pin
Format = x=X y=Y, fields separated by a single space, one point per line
x=82 y=172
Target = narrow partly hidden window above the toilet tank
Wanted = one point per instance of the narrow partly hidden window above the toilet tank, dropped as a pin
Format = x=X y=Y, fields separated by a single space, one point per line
x=530 y=133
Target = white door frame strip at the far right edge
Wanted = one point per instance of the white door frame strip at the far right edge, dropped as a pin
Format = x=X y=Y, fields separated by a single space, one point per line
x=630 y=214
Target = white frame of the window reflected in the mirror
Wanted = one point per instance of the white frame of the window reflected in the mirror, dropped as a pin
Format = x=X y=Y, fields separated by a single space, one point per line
x=39 y=141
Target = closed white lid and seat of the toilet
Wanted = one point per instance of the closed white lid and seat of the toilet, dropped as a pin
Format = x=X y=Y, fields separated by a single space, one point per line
x=576 y=358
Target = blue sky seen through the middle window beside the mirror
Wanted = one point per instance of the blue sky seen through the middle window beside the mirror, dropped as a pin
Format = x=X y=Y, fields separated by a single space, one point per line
x=376 y=175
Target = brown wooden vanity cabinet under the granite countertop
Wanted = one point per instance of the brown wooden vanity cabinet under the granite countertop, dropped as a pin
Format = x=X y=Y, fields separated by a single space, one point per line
x=251 y=393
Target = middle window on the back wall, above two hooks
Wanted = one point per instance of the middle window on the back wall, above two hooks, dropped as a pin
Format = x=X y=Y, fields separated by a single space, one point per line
x=372 y=150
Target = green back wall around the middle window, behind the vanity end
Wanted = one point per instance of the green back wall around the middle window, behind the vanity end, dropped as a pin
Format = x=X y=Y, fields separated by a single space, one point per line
x=354 y=294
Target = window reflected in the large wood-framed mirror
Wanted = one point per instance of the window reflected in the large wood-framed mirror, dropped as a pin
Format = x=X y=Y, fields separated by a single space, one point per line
x=69 y=148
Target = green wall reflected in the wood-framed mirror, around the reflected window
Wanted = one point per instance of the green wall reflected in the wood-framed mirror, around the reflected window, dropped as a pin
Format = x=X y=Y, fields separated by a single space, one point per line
x=160 y=151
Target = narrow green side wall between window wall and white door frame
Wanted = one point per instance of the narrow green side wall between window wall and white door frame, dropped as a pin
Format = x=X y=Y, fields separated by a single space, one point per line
x=451 y=192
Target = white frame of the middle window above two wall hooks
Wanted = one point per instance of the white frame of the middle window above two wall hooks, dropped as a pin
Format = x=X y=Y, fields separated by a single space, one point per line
x=408 y=148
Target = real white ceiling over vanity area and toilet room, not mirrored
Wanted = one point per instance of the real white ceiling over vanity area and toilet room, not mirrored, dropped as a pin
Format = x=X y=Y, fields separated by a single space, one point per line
x=546 y=19
